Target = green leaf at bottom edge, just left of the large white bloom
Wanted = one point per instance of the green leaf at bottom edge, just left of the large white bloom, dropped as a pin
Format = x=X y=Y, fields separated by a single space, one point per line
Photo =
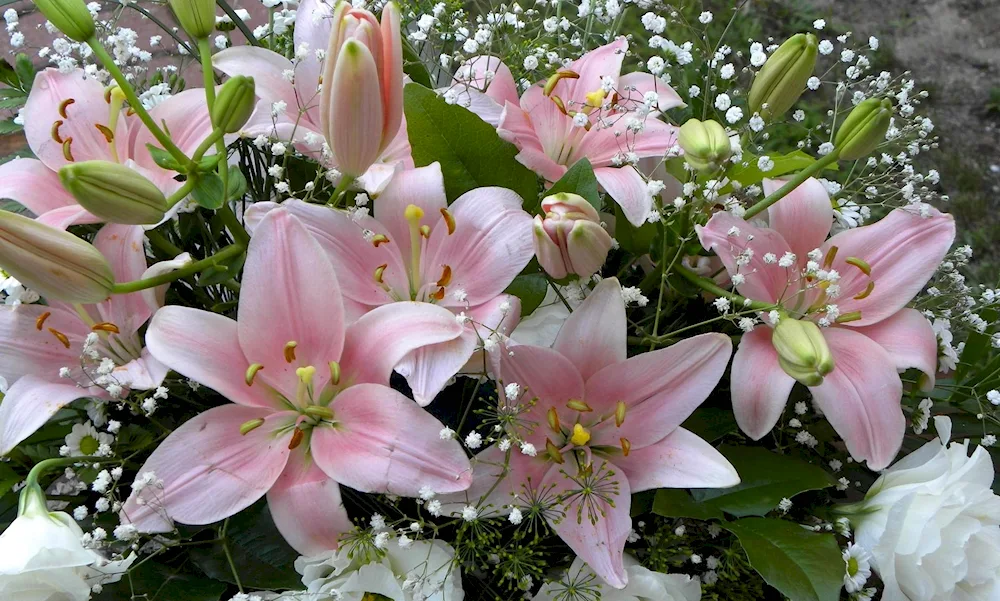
x=802 y=565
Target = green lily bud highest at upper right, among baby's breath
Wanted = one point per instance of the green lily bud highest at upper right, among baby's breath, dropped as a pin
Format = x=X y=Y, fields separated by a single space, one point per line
x=782 y=79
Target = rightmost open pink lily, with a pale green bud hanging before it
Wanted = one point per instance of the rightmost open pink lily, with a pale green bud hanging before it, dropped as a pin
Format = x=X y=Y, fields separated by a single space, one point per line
x=856 y=287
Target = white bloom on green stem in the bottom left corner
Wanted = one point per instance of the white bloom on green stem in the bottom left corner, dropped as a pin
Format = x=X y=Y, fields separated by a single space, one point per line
x=42 y=557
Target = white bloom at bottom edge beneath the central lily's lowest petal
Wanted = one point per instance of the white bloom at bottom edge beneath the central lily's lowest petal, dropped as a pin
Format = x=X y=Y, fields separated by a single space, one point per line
x=643 y=585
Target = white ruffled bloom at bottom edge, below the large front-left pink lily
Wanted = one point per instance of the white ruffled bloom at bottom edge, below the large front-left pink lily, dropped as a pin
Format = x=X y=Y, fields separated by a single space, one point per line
x=417 y=571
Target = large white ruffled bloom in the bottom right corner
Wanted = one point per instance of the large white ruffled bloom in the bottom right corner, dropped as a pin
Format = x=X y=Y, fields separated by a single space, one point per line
x=932 y=524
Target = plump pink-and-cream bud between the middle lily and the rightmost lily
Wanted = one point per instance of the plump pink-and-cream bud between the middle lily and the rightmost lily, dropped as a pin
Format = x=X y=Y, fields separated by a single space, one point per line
x=569 y=239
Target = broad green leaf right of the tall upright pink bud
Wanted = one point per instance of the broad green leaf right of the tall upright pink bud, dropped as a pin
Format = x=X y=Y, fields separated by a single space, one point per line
x=471 y=153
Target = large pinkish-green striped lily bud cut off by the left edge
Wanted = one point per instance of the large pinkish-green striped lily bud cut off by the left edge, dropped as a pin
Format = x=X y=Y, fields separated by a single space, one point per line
x=56 y=264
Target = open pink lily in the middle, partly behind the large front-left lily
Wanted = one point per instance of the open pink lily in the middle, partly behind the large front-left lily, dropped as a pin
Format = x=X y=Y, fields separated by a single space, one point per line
x=417 y=248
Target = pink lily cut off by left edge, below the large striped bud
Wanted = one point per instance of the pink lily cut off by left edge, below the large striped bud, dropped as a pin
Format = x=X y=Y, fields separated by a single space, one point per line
x=42 y=340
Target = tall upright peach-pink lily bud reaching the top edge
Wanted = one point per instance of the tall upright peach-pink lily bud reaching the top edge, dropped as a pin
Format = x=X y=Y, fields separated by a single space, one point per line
x=361 y=104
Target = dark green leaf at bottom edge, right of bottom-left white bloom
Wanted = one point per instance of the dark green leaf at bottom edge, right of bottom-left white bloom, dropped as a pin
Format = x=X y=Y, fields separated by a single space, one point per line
x=153 y=581
